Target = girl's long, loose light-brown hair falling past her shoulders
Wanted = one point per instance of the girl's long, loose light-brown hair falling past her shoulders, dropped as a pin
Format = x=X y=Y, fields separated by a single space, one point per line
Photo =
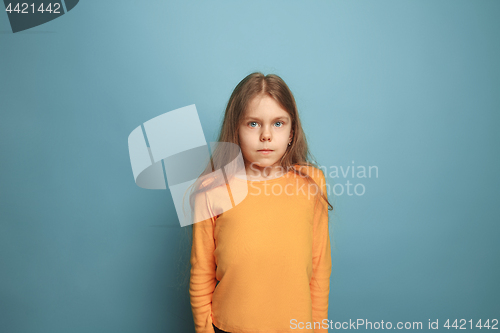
x=297 y=155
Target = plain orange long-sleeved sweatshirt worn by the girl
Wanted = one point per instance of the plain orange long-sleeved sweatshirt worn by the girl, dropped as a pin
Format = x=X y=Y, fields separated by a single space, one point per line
x=265 y=264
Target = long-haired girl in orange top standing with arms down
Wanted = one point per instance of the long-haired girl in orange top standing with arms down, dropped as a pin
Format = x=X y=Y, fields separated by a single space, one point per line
x=263 y=264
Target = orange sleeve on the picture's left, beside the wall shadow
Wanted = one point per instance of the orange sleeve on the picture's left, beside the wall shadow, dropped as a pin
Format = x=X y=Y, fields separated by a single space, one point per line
x=202 y=280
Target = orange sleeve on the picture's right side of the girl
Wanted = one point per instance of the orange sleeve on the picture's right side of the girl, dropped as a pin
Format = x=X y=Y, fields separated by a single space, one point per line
x=322 y=261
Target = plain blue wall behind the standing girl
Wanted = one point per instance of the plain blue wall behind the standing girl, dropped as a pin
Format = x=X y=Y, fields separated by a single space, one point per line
x=411 y=87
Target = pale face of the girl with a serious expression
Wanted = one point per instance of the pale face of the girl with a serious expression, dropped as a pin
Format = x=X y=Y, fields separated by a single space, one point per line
x=265 y=125
